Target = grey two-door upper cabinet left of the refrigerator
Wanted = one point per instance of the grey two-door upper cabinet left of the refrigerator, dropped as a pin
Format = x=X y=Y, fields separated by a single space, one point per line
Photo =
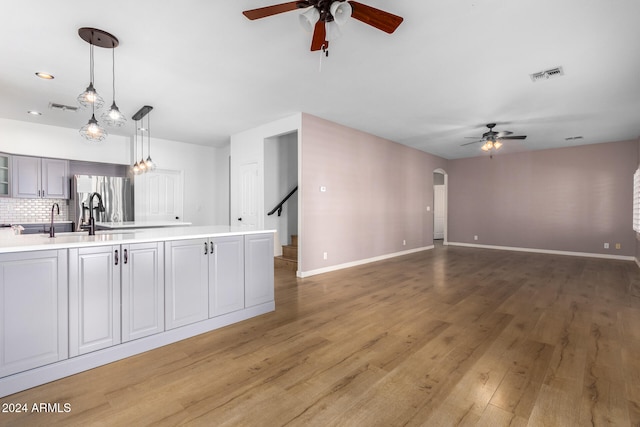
x=36 y=178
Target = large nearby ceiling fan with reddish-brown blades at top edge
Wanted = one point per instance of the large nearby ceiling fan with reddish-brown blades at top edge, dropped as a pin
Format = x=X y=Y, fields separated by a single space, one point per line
x=324 y=16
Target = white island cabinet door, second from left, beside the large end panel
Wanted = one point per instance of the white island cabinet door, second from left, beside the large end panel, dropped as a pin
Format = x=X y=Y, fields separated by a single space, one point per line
x=94 y=298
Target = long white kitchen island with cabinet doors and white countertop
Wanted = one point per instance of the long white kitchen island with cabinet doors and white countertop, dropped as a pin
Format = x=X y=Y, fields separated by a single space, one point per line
x=75 y=302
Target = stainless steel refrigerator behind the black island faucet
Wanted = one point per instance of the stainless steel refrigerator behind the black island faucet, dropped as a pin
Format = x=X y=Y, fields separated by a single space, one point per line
x=117 y=198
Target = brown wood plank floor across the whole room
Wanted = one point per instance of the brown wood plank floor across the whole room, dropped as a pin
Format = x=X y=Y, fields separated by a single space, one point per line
x=452 y=336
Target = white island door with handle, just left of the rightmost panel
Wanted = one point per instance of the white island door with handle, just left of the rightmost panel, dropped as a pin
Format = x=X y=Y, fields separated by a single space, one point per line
x=226 y=275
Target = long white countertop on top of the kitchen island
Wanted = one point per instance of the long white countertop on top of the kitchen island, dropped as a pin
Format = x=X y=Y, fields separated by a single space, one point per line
x=38 y=242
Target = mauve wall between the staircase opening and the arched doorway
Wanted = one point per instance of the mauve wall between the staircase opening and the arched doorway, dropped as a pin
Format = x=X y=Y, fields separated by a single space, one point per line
x=377 y=193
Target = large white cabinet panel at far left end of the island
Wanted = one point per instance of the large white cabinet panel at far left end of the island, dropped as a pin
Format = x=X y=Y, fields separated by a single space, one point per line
x=33 y=310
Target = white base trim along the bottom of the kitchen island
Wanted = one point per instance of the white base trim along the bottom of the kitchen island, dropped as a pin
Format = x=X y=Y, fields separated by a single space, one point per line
x=55 y=371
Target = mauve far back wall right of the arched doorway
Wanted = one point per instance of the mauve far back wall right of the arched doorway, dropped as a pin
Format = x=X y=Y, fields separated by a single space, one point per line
x=571 y=199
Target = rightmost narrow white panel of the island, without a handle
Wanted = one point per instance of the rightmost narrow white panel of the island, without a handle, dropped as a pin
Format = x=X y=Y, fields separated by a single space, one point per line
x=258 y=268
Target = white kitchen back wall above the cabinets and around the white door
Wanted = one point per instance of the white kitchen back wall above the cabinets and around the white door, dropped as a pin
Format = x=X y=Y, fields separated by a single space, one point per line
x=201 y=166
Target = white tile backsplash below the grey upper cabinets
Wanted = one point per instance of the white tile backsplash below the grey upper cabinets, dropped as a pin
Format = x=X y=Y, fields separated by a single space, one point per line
x=17 y=211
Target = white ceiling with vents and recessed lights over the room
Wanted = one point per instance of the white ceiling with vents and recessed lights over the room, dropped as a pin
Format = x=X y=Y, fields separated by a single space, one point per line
x=450 y=68
